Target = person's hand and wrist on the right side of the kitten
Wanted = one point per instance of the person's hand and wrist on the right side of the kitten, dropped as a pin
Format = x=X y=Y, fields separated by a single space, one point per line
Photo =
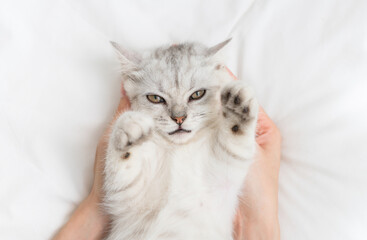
x=257 y=215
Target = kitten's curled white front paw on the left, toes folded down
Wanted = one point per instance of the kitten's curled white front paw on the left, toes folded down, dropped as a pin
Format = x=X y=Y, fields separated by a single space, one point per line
x=131 y=128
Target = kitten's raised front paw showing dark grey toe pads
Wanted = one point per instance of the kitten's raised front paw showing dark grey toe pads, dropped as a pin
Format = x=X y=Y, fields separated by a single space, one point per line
x=239 y=104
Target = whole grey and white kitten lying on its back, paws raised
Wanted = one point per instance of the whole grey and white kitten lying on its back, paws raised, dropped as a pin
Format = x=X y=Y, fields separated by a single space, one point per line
x=176 y=162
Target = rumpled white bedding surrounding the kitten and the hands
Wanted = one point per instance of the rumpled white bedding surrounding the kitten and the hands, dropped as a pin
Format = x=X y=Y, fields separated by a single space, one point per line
x=307 y=61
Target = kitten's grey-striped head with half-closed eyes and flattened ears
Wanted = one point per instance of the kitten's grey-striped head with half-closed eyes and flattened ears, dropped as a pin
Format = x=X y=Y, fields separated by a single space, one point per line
x=177 y=85
